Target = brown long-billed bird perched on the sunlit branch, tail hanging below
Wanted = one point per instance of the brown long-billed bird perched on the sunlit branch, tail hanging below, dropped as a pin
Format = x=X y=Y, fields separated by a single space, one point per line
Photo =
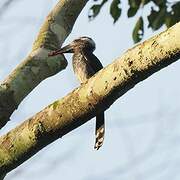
x=85 y=65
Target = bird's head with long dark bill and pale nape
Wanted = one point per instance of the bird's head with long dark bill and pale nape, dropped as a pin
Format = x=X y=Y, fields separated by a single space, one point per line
x=80 y=44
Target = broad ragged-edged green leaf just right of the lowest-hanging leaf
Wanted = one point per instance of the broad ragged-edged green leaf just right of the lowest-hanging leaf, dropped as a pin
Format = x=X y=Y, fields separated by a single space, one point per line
x=157 y=18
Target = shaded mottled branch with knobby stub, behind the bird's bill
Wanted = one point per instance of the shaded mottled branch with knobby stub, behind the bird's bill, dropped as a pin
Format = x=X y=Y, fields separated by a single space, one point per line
x=37 y=66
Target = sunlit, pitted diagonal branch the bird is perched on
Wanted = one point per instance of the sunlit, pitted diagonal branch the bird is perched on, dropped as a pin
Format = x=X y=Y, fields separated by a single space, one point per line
x=96 y=95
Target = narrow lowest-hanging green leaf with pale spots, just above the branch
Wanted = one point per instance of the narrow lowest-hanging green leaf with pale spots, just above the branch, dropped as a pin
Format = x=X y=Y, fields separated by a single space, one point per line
x=138 y=31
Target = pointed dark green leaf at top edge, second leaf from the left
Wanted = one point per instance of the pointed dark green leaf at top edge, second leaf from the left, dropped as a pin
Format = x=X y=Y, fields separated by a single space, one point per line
x=115 y=10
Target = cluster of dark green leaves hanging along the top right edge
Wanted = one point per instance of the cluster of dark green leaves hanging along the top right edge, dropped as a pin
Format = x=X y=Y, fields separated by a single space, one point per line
x=162 y=13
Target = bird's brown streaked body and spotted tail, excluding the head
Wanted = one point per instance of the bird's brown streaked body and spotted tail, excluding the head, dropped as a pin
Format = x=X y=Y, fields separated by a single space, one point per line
x=85 y=65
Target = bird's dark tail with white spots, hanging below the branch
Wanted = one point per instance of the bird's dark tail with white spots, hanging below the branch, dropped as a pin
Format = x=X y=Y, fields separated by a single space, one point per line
x=100 y=130
